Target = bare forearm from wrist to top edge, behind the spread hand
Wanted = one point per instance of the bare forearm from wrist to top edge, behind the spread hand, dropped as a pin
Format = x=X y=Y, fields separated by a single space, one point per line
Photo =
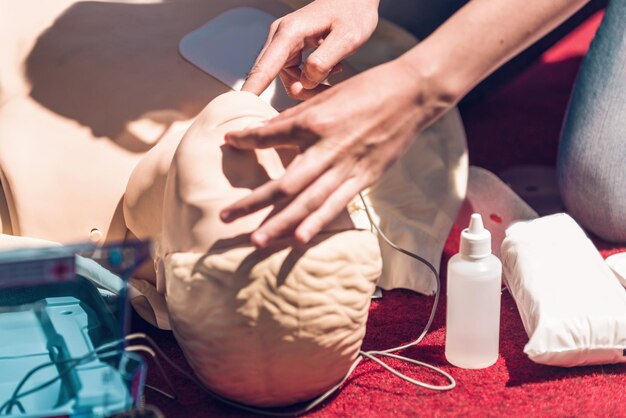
x=478 y=39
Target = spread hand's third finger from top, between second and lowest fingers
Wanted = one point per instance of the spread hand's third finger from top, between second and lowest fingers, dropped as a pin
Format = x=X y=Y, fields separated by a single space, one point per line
x=306 y=203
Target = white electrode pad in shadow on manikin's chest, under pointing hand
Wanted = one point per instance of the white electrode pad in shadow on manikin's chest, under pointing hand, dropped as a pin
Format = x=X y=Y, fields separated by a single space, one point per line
x=227 y=46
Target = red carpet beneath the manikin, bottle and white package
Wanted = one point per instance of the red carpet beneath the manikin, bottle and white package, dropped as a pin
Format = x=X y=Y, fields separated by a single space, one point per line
x=518 y=125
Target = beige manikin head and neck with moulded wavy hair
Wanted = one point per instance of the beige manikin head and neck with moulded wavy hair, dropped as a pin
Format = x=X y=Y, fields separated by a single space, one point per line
x=265 y=327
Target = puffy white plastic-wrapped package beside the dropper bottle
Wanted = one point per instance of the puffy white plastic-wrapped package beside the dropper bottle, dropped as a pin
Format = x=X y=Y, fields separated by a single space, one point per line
x=572 y=305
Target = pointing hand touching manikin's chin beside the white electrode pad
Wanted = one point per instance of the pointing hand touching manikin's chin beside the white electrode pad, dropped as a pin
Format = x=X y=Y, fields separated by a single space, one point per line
x=334 y=28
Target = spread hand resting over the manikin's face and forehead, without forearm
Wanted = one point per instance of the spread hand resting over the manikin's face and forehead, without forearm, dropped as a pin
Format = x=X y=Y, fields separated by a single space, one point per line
x=349 y=135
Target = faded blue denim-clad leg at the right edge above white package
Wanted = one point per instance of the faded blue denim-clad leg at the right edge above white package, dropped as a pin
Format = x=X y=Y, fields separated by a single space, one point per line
x=591 y=163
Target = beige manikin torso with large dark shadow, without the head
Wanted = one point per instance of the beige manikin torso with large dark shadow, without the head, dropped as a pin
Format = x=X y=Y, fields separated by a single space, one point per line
x=96 y=77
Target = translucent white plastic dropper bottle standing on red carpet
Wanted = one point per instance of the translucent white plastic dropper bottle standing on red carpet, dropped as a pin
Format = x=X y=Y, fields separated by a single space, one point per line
x=473 y=303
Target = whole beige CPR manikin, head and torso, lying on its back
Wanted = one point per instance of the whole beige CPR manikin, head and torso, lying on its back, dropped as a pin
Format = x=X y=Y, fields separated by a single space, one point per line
x=92 y=92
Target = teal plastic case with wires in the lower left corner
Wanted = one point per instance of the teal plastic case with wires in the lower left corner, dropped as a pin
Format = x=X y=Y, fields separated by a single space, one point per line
x=63 y=318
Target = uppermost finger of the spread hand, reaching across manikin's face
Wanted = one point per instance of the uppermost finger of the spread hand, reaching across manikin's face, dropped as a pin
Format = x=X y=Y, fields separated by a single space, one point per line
x=275 y=133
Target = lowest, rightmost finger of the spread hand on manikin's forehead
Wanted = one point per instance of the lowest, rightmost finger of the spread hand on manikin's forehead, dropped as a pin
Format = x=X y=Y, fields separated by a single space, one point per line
x=328 y=211
